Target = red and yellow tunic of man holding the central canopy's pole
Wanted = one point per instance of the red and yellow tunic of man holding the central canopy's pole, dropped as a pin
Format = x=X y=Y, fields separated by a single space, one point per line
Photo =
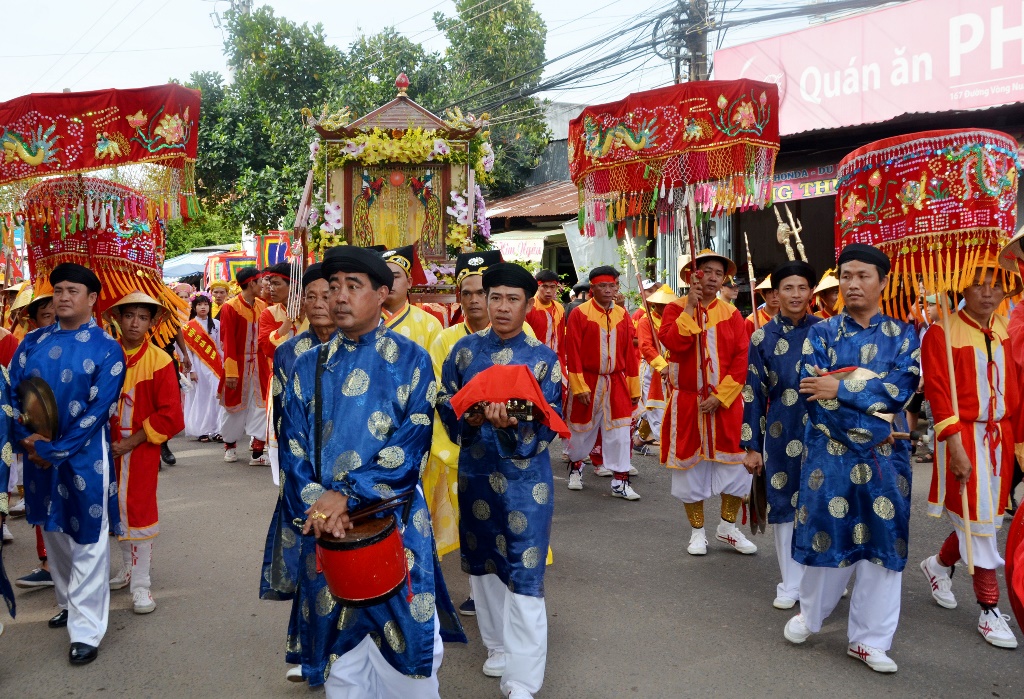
x=688 y=436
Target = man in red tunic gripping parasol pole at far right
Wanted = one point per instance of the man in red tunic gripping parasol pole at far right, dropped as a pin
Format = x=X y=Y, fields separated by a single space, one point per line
x=975 y=449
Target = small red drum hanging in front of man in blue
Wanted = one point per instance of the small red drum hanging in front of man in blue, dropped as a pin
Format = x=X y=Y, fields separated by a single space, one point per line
x=368 y=566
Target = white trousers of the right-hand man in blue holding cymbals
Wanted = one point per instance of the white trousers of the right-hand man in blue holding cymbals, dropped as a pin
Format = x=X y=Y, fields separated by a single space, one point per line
x=875 y=602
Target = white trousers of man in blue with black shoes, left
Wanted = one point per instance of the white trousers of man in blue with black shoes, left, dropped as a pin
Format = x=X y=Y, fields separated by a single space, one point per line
x=81 y=580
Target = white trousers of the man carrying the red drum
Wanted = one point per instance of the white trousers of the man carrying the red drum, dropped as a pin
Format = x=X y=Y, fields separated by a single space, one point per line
x=364 y=674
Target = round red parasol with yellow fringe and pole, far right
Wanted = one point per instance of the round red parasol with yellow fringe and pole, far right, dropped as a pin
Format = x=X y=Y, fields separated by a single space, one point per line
x=941 y=205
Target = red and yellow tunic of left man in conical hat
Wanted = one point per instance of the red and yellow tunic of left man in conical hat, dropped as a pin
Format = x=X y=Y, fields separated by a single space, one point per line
x=151 y=402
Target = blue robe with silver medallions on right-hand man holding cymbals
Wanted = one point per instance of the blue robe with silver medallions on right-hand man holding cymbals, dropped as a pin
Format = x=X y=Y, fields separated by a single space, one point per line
x=855 y=501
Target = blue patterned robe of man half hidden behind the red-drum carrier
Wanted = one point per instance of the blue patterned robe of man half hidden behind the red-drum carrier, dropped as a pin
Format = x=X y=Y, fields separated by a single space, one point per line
x=282 y=565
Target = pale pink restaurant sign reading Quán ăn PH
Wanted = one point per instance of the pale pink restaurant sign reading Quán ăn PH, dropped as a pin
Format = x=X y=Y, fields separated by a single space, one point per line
x=929 y=56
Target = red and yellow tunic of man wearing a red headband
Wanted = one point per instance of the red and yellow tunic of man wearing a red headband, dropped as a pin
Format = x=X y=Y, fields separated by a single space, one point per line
x=602 y=361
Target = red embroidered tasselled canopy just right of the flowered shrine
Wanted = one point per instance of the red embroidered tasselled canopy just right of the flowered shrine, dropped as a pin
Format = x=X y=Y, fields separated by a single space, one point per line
x=719 y=138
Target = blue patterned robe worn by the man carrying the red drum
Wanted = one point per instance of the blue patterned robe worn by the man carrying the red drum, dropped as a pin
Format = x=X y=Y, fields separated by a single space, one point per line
x=378 y=397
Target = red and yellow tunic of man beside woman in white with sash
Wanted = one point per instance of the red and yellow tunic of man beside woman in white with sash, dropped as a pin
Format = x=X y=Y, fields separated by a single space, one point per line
x=240 y=337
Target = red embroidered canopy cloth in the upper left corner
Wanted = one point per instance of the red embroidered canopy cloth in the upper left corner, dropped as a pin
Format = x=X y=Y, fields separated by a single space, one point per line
x=63 y=134
